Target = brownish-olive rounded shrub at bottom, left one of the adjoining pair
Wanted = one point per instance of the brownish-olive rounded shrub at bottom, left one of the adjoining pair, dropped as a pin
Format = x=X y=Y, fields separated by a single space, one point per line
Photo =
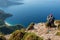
x=17 y=35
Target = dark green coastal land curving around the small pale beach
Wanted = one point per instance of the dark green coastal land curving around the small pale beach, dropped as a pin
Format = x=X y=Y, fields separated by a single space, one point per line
x=4 y=28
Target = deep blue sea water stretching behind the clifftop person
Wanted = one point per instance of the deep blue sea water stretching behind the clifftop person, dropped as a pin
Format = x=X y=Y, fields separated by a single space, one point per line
x=33 y=11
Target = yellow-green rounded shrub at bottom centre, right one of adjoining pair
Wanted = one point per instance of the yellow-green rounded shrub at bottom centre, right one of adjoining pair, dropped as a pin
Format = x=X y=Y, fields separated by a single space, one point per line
x=31 y=36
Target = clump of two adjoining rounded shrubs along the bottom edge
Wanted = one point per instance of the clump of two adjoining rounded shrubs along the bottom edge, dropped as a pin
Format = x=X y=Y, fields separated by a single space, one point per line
x=22 y=35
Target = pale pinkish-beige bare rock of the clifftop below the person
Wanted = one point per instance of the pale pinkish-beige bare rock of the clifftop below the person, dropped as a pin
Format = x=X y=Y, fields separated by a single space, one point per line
x=41 y=30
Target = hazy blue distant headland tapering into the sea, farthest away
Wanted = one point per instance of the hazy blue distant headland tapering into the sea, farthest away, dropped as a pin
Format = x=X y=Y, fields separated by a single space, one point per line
x=6 y=3
